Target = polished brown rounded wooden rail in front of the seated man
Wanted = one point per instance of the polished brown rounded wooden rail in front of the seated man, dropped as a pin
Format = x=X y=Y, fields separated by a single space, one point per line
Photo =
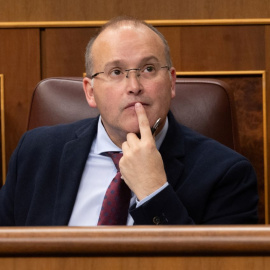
x=136 y=241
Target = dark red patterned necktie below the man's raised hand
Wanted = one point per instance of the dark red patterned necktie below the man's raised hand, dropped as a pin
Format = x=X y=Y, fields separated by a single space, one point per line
x=114 y=210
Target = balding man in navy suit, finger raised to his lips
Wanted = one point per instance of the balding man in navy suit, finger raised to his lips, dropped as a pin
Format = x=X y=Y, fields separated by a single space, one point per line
x=59 y=175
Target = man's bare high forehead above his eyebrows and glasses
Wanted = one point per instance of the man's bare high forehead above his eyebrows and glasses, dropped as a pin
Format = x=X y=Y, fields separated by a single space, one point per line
x=127 y=44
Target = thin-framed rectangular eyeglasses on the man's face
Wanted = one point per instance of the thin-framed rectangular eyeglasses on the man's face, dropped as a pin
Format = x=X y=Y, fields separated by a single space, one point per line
x=117 y=74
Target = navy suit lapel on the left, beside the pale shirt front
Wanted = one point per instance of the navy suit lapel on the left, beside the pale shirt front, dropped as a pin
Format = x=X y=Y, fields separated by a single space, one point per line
x=72 y=164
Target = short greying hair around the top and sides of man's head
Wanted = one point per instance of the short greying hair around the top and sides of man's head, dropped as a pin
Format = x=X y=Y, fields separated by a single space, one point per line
x=117 y=22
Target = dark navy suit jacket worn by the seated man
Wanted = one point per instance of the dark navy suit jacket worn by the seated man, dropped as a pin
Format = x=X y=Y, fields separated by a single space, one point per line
x=208 y=182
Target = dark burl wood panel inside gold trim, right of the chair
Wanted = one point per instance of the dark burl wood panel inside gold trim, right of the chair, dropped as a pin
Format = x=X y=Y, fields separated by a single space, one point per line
x=248 y=97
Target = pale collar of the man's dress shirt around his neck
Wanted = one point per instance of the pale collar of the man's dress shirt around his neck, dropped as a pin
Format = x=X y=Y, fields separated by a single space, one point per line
x=103 y=142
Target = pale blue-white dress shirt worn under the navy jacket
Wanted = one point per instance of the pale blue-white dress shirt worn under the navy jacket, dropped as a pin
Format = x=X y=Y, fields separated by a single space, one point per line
x=98 y=173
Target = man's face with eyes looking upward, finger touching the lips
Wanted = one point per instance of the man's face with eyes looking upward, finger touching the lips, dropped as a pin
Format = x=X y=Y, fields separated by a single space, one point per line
x=128 y=47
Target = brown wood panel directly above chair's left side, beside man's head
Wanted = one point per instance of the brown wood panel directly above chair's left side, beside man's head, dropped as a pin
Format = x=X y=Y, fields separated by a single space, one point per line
x=63 y=51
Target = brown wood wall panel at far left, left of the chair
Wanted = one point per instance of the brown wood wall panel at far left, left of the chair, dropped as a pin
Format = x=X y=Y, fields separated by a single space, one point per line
x=20 y=64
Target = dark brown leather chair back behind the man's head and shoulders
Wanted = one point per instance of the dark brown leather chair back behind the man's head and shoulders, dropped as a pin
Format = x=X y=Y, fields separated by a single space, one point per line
x=204 y=105
